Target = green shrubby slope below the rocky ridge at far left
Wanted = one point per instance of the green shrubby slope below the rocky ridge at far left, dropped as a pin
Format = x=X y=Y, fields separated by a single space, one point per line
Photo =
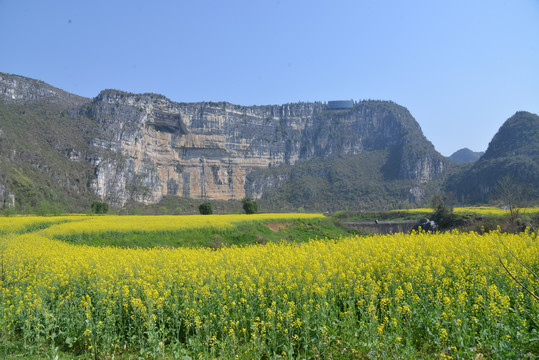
x=42 y=158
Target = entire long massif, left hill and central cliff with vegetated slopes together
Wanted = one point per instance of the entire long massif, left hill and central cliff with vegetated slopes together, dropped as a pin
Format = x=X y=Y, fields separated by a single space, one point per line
x=58 y=147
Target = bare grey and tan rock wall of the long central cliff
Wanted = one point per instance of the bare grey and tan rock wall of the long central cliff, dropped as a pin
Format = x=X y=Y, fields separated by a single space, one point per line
x=154 y=147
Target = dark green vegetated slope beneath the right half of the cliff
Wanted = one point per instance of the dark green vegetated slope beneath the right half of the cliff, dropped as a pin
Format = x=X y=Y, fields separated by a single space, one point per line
x=362 y=181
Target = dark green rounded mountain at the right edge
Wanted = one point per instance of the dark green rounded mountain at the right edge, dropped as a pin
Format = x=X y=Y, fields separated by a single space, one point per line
x=513 y=153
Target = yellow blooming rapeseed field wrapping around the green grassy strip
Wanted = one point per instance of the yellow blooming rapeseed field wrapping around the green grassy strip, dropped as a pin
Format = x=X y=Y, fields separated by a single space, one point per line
x=402 y=296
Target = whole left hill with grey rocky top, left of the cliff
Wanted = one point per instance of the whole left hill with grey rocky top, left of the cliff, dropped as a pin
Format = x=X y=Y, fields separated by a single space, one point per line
x=44 y=144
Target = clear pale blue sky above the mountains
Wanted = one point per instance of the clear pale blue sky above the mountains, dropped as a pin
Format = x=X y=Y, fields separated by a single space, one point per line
x=461 y=67
